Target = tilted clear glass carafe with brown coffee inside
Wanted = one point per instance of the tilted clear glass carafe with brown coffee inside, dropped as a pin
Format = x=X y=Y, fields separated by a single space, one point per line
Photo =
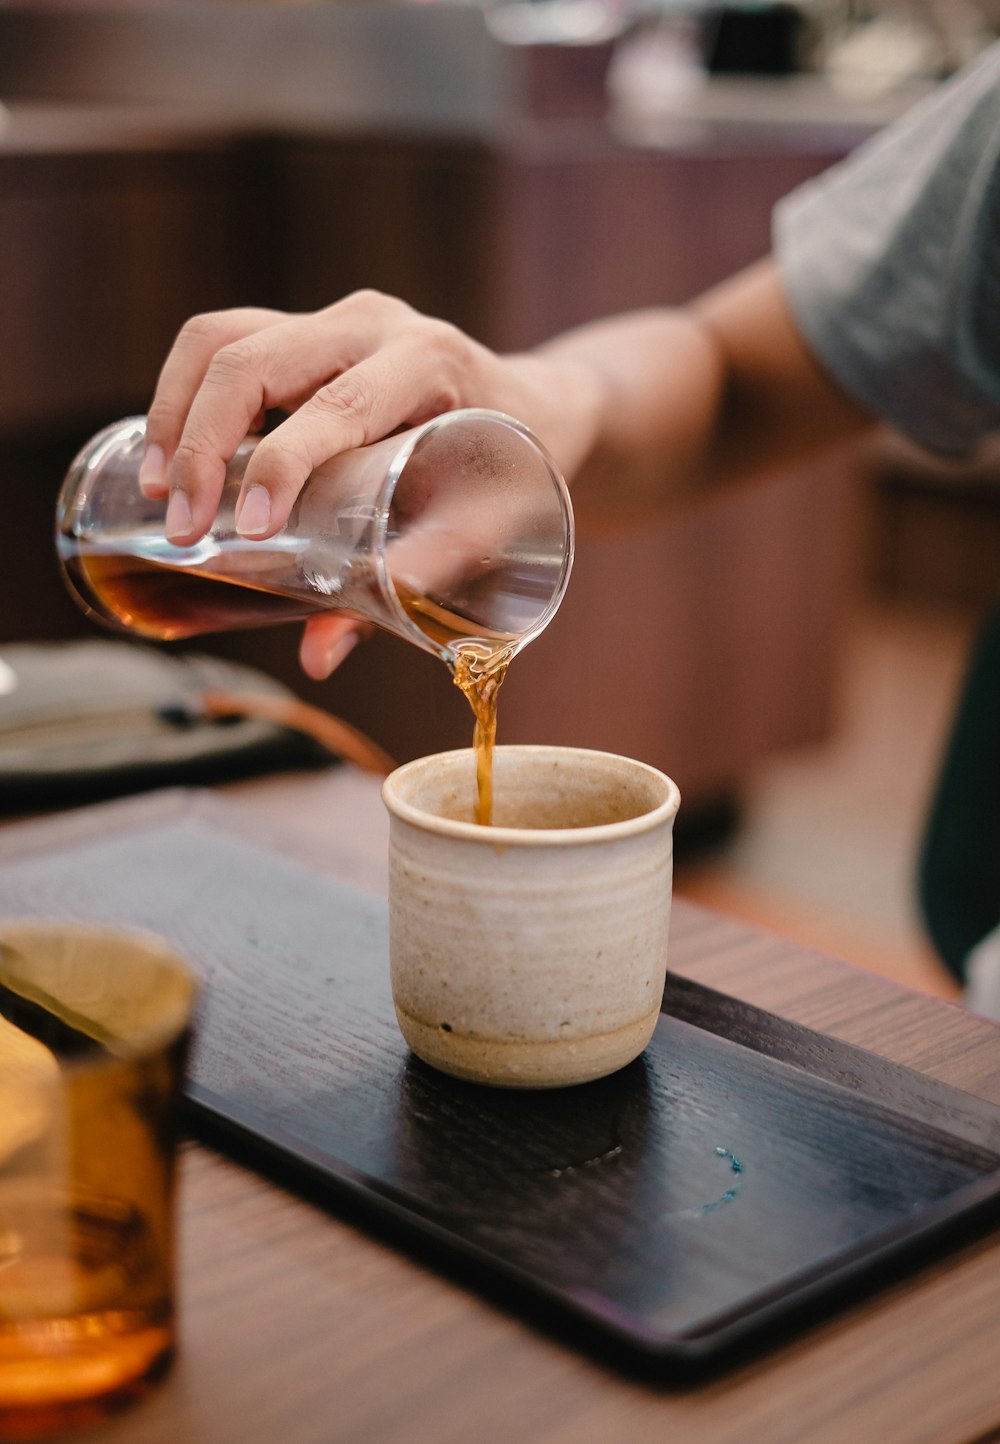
x=457 y=535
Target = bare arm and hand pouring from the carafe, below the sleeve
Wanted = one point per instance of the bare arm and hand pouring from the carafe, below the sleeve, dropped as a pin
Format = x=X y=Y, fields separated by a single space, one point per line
x=637 y=409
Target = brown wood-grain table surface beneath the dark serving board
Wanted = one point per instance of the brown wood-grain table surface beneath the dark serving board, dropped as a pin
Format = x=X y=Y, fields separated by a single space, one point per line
x=298 y=1329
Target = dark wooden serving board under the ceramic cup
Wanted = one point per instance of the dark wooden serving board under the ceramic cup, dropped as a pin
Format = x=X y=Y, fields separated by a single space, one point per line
x=740 y=1179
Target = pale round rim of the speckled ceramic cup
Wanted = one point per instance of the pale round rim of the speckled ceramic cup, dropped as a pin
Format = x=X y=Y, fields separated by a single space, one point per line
x=500 y=837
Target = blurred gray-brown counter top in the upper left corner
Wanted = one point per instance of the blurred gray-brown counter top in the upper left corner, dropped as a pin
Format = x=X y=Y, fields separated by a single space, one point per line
x=429 y=69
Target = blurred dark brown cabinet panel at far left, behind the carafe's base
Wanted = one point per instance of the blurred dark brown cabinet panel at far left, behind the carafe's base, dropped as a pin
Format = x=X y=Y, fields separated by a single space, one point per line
x=105 y=255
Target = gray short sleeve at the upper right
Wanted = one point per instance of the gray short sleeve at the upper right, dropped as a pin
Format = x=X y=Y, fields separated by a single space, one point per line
x=891 y=265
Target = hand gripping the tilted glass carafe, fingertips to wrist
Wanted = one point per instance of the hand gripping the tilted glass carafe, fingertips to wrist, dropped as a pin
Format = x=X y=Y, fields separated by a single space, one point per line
x=348 y=376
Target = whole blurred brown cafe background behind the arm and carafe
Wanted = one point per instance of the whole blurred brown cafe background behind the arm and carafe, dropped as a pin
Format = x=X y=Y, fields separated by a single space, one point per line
x=516 y=170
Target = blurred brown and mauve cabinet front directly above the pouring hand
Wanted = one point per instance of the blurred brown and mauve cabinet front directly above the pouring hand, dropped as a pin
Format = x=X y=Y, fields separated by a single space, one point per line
x=525 y=236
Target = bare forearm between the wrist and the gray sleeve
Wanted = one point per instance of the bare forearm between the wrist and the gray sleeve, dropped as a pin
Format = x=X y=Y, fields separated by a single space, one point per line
x=675 y=402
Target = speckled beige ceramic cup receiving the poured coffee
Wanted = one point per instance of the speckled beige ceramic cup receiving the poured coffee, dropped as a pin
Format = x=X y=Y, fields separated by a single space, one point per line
x=532 y=954
